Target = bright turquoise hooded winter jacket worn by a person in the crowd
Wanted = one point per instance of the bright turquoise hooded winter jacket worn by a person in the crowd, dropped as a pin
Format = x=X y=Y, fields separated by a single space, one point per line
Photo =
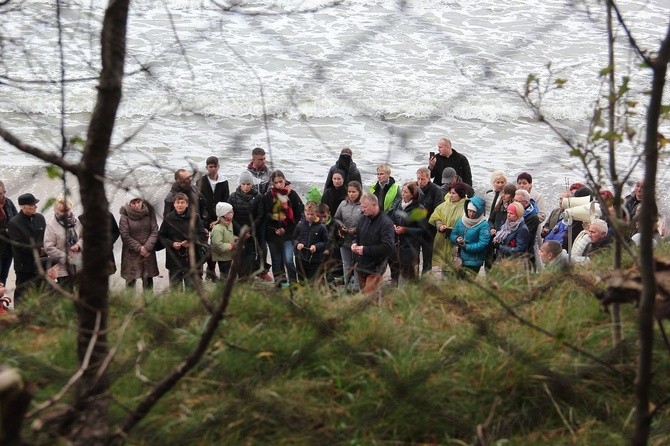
x=477 y=238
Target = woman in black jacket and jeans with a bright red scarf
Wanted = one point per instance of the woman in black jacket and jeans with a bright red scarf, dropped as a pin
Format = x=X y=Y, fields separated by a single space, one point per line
x=279 y=211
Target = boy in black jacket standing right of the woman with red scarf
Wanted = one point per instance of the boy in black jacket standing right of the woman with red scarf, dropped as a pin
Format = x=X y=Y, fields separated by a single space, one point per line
x=310 y=240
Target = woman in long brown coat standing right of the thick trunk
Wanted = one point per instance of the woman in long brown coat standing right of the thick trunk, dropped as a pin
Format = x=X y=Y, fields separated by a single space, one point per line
x=139 y=233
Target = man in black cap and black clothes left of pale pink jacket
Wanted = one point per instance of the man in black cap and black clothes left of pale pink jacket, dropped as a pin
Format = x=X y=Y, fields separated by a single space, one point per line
x=26 y=231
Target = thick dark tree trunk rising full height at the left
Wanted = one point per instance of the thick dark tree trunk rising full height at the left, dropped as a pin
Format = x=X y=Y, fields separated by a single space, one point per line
x=91 y=427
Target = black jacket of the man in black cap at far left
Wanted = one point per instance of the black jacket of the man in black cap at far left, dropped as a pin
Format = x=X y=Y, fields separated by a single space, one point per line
x=27 y=234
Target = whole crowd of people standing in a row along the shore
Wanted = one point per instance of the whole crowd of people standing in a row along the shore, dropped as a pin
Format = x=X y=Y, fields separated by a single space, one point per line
x=348 y=236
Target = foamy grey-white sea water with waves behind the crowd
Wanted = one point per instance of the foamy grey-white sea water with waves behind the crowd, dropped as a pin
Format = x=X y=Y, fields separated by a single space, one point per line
x=302 y=79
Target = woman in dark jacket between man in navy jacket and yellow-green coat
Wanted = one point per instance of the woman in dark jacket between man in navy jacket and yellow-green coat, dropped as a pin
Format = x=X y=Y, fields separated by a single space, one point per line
x=409 y=220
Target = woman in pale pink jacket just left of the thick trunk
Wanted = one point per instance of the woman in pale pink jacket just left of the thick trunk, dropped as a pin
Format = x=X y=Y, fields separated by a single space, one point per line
x=63 y=242
